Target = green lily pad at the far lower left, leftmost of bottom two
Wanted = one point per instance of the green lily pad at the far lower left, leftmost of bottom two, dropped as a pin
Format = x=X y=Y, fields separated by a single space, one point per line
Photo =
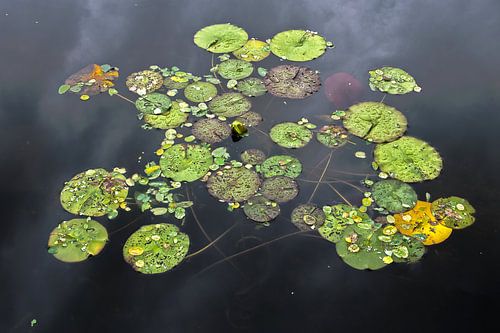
x=75 y=240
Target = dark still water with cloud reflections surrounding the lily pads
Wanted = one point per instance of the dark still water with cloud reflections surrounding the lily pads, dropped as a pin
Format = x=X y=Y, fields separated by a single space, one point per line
x=293 y=285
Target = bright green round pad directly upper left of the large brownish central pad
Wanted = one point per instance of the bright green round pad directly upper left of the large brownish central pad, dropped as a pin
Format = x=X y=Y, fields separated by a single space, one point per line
x=186 y=162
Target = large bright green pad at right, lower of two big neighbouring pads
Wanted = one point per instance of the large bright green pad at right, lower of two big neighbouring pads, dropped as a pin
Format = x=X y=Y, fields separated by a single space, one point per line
x=408 y=159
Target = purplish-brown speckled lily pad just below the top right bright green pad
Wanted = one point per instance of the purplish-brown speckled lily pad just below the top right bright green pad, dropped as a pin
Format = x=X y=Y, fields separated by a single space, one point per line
x=292 y=81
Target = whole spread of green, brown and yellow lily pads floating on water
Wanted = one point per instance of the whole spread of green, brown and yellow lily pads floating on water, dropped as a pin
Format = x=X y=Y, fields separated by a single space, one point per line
x=390 y=224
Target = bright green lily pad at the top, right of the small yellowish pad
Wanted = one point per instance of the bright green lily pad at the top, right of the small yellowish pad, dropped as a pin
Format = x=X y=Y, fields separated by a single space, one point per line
x=298 y=45
